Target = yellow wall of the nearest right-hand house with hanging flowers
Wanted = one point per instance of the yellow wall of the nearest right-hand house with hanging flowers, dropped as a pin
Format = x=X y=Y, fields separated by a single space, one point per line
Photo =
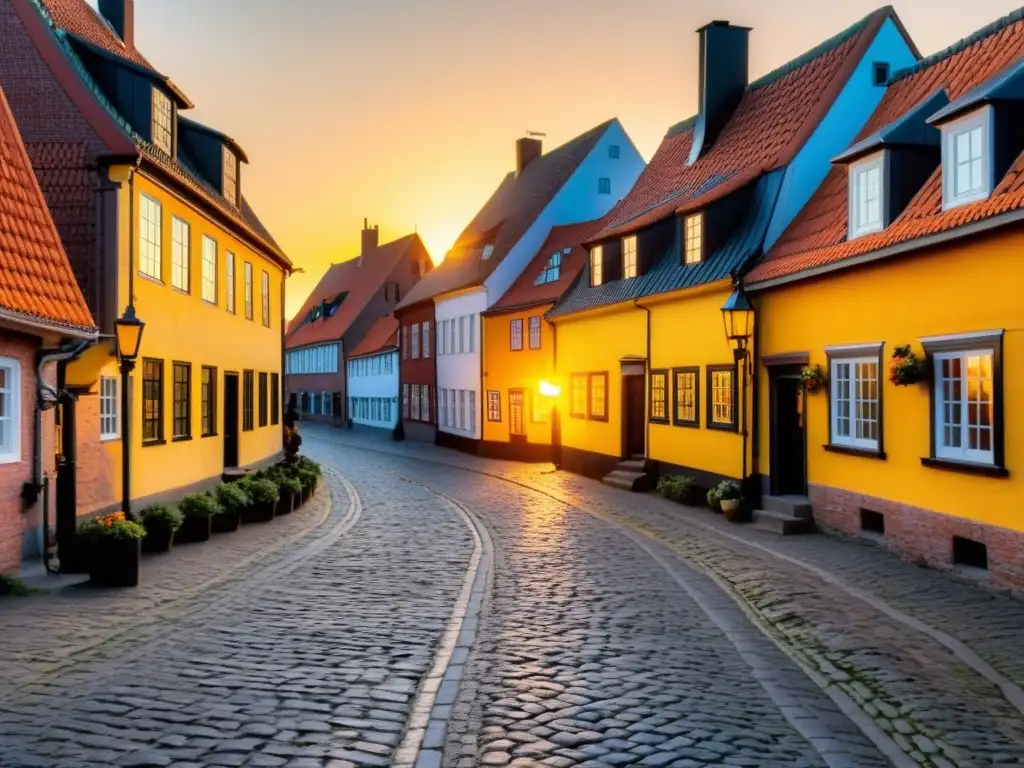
x=965 y=288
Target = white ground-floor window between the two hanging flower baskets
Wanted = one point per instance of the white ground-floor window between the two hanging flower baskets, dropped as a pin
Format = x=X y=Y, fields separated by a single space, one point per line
x=857 y=400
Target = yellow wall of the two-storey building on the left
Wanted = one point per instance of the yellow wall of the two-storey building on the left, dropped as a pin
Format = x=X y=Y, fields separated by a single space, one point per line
x=182 y=327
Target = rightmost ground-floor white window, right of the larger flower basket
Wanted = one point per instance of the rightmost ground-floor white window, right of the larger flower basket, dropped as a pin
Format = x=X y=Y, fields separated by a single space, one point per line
x=966 y=400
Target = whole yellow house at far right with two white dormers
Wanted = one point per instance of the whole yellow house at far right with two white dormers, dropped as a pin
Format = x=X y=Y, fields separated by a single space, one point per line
x=923 y=451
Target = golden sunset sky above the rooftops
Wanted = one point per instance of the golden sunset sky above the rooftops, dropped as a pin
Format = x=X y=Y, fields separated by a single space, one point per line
x=406 y=111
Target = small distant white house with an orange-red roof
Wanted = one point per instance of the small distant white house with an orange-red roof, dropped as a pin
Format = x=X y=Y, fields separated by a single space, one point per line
x=372 y=373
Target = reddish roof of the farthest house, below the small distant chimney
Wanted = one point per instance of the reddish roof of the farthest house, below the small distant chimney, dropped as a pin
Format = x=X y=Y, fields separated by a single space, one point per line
x=362 y=278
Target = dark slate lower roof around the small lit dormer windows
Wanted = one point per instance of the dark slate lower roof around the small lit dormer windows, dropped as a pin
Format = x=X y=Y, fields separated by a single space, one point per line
x=669 y=274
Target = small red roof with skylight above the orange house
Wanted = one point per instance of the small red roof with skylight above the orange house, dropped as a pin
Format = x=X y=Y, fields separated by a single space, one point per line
x=525 y=292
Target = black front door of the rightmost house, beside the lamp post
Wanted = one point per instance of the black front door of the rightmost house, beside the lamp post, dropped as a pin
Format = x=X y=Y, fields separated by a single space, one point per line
x=789 y=475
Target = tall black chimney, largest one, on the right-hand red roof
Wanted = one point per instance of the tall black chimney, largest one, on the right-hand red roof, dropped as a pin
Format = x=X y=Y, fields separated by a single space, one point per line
x=724 y=75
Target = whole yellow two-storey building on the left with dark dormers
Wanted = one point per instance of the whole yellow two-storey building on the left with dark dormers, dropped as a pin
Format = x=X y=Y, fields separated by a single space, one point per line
x=152 y=214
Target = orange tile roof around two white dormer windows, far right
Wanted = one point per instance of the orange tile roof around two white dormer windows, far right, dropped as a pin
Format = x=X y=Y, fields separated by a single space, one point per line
x=817 y=239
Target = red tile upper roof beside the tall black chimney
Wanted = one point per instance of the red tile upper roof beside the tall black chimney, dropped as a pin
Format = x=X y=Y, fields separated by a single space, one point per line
x=776 y=117
